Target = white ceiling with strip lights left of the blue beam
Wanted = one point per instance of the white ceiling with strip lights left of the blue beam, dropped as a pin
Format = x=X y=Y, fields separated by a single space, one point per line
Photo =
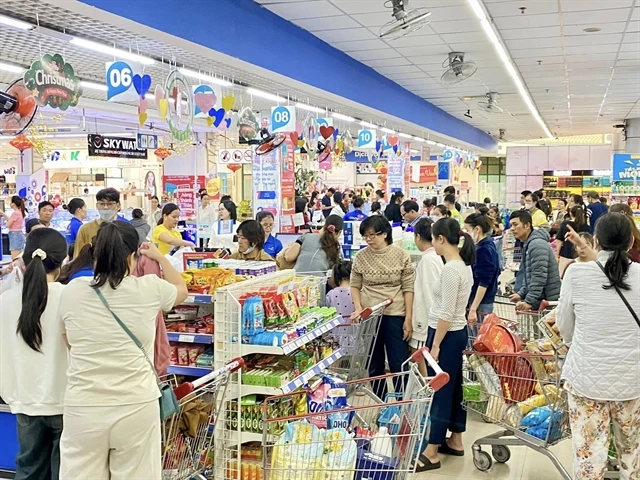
x=23 y=47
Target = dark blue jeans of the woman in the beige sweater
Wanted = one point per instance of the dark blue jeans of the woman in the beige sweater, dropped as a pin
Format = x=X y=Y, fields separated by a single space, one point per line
x=389 y=338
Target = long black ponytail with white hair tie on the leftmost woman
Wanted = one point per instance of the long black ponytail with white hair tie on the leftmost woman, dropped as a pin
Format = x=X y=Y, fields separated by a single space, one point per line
x=50 y=244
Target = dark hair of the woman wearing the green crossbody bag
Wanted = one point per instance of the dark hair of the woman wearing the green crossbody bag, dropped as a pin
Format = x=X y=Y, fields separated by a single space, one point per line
x=115 y=243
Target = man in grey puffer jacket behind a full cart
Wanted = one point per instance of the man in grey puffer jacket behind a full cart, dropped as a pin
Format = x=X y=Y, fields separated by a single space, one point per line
x=538 y=269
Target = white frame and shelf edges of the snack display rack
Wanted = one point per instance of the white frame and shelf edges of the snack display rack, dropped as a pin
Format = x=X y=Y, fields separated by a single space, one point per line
x=228 y=344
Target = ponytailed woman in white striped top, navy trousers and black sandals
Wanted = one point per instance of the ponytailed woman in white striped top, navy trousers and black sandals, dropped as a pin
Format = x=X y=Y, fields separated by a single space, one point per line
x=447 y=338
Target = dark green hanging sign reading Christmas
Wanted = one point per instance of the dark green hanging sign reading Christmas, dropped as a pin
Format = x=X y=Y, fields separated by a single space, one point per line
x=53 y=82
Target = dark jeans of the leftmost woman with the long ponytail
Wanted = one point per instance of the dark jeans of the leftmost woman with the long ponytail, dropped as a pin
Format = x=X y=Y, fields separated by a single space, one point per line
x=39 y=455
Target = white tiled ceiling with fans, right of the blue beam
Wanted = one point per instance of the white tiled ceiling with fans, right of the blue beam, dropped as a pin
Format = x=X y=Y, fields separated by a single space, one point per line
x=582 y=83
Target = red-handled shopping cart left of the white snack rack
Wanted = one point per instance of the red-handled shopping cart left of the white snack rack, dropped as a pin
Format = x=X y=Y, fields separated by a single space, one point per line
x=188 y=435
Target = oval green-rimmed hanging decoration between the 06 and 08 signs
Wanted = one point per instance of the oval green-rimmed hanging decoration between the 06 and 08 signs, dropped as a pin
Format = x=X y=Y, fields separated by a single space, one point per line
x=179 y=117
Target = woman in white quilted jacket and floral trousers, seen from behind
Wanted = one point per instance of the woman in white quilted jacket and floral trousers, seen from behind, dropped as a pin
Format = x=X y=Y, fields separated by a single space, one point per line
x=602 y=368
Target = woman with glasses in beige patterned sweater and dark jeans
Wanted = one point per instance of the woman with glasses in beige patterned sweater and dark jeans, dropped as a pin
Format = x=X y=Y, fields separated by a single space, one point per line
x=381 y=271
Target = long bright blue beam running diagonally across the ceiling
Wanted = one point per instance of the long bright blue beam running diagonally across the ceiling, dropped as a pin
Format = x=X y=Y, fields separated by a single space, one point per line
x=349 y=78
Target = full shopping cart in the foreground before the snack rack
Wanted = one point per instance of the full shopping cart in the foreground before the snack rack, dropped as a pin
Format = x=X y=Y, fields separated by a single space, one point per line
x=296 y=446
